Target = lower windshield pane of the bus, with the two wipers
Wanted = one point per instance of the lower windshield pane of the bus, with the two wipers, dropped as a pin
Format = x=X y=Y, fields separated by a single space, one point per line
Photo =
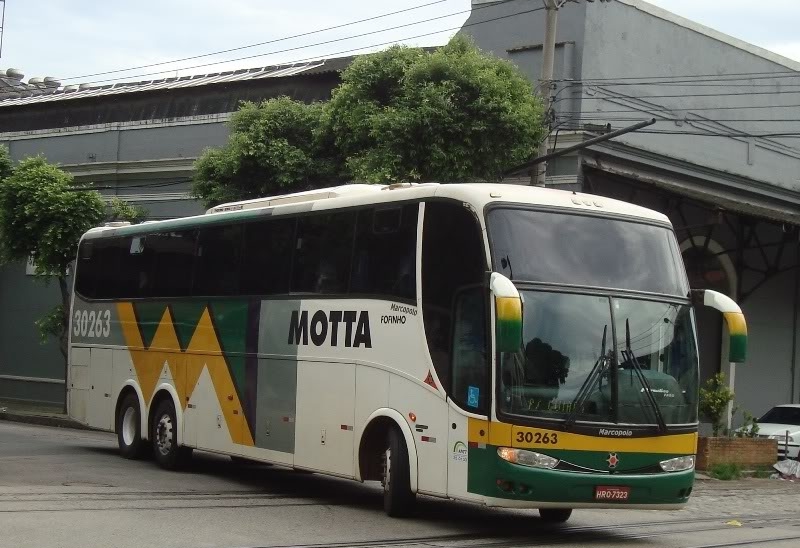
x=569 y=368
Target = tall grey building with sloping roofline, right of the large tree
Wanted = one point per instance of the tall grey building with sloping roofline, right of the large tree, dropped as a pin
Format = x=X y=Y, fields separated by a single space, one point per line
x=722 y=161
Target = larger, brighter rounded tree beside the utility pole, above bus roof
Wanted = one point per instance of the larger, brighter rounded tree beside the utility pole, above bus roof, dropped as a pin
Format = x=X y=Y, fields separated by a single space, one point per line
x=452 y=115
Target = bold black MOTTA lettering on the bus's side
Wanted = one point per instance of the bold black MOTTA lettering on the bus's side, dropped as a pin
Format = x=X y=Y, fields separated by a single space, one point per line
x=347 y=327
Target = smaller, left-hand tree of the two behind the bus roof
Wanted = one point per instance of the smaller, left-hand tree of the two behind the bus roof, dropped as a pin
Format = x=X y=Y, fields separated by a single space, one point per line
x=275 y=147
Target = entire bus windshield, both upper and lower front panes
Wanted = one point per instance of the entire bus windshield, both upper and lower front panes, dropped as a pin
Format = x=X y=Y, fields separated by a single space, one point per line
x=590 y=357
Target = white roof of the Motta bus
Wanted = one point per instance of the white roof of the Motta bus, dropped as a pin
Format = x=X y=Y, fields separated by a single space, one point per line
x=478 y=195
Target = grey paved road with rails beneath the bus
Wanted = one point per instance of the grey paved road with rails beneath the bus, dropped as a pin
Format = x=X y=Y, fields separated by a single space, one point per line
x=68 y=488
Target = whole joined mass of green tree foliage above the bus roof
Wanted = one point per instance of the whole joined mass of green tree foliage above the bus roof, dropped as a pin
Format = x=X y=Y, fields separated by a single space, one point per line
x=403 y=114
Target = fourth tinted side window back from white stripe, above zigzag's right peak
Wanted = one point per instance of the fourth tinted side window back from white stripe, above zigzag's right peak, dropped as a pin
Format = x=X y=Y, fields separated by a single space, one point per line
x=219 y=252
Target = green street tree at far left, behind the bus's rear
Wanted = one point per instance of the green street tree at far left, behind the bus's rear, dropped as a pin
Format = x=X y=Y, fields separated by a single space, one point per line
x=42 y=219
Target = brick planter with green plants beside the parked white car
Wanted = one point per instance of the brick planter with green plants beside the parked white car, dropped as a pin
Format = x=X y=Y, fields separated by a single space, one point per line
x=741 y=447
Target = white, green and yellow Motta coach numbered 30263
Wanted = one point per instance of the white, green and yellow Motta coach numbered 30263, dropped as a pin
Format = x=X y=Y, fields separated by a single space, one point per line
x=506 y=345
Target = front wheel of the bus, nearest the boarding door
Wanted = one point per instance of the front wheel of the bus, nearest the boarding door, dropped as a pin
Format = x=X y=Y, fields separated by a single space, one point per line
x=398 y=499
